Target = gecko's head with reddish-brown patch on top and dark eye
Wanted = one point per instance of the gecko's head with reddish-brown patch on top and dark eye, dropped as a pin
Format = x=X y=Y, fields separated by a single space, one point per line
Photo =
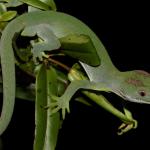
x=135 y=86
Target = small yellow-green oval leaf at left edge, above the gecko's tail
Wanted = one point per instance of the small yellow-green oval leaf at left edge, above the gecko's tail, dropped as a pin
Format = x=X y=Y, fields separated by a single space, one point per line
x=7 y=16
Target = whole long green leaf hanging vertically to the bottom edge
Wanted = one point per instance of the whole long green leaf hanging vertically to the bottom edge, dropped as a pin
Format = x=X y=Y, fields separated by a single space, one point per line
x=47 y=126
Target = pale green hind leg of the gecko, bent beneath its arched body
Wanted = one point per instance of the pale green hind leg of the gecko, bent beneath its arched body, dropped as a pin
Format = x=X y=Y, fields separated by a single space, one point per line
x=47 y=40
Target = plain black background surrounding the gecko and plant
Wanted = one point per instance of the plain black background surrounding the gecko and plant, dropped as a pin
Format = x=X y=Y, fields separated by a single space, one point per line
x=123 y=28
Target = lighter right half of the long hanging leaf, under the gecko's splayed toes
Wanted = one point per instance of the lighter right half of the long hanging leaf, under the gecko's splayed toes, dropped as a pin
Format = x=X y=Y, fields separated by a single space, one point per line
x=53 y=121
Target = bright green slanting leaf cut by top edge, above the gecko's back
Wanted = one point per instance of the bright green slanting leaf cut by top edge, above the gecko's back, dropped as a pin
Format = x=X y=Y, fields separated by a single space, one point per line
x=37 y=4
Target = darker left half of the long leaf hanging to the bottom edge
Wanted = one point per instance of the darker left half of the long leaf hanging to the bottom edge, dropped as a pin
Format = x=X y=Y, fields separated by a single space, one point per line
x=40 y=112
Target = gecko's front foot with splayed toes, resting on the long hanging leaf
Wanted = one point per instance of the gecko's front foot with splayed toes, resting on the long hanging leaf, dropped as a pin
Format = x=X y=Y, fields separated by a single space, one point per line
x=59 y=103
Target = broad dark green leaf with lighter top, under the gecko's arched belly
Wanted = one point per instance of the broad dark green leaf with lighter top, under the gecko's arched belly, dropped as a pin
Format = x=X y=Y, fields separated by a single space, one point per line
x=80 y=47
